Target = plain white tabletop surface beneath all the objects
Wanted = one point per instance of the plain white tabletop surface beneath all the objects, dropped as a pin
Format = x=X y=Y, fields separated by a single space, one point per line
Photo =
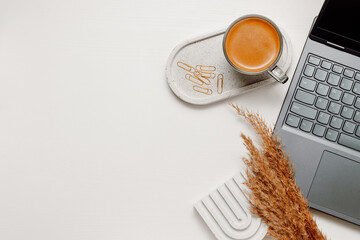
x=93 y=144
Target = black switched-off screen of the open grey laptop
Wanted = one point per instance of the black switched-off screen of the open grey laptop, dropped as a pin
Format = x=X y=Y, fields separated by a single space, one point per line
x=338 y=23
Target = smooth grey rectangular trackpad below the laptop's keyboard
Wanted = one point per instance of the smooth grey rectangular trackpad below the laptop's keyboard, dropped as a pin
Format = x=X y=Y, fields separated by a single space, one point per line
x=337 y=185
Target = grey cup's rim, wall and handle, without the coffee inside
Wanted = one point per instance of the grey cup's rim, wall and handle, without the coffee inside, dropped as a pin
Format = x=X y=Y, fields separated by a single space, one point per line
x=273 y=70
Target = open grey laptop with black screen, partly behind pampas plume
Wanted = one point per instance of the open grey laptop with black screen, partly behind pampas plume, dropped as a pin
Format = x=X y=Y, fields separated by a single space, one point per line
x=319 y=122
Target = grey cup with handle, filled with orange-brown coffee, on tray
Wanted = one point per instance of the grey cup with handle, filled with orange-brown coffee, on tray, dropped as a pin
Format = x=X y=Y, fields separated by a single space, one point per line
x=253 y=45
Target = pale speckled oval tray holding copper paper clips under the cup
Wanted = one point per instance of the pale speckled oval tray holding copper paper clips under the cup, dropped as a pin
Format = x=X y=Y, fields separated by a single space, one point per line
x=205 y=54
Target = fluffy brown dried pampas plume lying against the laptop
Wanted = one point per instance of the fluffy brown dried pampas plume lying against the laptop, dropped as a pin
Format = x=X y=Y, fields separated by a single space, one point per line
x=274 y=196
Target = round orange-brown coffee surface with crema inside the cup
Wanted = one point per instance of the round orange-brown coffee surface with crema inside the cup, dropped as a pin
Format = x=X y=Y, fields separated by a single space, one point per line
x=252 y=44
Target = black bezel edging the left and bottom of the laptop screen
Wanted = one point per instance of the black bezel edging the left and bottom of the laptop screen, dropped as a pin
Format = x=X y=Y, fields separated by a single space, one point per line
x=336 y=40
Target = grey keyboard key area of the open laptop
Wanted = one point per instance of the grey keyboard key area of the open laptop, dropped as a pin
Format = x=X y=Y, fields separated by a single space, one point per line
x=326 y=102
